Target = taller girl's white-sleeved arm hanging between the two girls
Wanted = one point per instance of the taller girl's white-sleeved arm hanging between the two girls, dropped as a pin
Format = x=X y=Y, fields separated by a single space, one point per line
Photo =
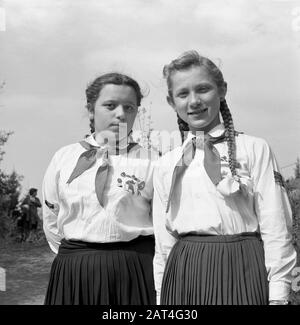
x=164 y=241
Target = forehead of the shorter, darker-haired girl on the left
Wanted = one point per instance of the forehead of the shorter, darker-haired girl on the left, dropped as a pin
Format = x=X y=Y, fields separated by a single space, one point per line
x=118 y=92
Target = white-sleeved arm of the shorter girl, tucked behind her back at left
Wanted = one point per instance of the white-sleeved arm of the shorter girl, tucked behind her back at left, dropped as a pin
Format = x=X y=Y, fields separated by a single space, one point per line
x=50 y=205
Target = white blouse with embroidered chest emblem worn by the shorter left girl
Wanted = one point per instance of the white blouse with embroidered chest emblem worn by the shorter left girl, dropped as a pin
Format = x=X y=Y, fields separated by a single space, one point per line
x=73 y=210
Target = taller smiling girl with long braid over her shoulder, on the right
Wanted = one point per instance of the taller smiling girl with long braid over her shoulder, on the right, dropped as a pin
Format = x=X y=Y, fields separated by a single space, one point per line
x=221 y=214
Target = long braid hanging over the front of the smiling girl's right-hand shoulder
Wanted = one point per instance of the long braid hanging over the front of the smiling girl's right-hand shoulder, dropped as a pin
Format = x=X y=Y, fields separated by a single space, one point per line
x=230 y=136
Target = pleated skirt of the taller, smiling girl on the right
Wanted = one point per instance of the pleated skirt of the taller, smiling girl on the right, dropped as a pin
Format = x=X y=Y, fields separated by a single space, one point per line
x=216 y=270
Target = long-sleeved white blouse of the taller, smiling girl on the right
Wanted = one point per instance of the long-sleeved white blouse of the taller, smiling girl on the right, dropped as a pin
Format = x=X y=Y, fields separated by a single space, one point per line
x=199 y=207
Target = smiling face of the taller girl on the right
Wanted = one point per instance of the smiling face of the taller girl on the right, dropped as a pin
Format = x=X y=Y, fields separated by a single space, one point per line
x=196 y=98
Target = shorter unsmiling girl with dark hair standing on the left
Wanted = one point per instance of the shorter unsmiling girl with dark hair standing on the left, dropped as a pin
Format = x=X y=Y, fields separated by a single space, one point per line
x=96 y=206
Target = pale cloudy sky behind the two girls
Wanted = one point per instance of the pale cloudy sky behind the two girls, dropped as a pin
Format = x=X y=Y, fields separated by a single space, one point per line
x=50 y=50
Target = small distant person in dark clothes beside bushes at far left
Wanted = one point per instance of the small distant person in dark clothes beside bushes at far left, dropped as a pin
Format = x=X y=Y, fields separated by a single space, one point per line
x=30 y=217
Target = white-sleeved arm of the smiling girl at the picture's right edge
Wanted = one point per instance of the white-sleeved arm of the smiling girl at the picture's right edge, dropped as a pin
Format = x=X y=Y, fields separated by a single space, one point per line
x=275 y=220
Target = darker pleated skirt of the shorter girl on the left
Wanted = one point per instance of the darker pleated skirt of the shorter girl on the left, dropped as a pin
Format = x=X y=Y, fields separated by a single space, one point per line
x=103 y=273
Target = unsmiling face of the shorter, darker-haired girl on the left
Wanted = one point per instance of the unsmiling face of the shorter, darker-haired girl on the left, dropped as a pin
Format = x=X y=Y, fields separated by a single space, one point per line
x=116 y=104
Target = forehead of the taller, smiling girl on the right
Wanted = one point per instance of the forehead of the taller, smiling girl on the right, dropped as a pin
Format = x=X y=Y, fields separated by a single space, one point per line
x=190 y=77
